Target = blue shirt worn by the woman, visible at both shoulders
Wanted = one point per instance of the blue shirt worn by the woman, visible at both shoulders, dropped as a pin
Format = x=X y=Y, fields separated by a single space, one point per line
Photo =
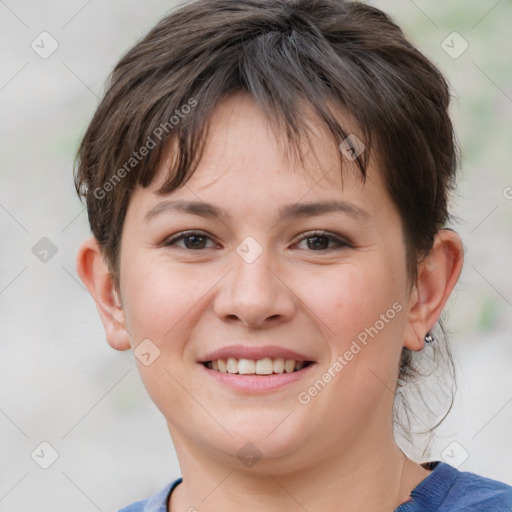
x=445 y=489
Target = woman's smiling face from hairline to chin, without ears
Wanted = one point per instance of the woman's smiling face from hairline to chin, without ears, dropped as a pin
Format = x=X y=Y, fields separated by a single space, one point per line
x=323 y=286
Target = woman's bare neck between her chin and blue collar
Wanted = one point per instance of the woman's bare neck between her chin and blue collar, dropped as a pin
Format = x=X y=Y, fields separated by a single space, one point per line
x=373 y=476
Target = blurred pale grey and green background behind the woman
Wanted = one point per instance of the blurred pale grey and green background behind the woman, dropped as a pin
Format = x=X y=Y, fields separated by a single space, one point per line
x=77 y=428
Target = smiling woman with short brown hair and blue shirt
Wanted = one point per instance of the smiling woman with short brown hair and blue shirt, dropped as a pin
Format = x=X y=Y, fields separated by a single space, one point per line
x=267 y=184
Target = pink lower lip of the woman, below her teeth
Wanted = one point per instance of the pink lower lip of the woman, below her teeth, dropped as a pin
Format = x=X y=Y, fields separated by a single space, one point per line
x=257 y=383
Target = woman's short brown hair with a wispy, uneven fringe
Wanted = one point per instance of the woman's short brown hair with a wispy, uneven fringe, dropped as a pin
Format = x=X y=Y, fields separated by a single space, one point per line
x=284 y=53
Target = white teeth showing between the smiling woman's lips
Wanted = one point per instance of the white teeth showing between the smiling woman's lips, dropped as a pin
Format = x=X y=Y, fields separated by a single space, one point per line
x=266 y=366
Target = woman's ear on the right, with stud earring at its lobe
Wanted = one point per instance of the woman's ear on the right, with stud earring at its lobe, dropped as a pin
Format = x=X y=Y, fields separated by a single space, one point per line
x=437 y=275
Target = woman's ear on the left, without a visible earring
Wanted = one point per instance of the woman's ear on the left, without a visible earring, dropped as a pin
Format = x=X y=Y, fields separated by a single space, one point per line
x=94 y=273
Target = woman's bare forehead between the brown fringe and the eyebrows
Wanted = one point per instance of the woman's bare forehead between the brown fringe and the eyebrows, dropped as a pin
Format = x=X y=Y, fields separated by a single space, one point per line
x=246 y=159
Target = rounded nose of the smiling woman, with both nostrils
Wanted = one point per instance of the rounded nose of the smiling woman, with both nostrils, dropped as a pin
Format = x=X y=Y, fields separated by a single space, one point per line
x=255 y=293
